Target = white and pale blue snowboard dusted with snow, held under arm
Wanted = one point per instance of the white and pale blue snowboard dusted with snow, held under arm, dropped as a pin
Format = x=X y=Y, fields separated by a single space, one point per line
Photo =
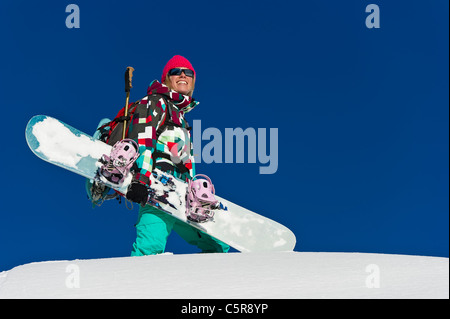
x=60 y=144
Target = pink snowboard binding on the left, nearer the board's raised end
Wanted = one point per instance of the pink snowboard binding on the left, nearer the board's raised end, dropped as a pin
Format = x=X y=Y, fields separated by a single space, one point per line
x=115 y=168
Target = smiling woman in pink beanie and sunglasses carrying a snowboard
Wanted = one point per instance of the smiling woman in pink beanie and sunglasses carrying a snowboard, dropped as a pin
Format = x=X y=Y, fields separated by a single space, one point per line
x=159 y=127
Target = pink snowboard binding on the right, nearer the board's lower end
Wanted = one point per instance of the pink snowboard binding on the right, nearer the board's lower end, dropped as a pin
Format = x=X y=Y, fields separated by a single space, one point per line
x=200 y=200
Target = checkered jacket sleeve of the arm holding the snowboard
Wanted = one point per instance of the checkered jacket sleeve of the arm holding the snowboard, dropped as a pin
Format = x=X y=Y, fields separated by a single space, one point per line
x=148 y=117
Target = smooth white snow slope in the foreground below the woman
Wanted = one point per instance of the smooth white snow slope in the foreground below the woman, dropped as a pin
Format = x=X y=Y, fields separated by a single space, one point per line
x=222 y=276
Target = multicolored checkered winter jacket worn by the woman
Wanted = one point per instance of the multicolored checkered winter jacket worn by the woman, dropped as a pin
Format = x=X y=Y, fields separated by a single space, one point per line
x=163 y=134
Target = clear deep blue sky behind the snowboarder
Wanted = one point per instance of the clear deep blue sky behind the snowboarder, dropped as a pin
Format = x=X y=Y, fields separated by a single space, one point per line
x=362 y=116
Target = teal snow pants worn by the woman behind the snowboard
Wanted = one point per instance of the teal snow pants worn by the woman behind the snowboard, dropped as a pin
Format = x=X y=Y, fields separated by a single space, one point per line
x=154 y=227
